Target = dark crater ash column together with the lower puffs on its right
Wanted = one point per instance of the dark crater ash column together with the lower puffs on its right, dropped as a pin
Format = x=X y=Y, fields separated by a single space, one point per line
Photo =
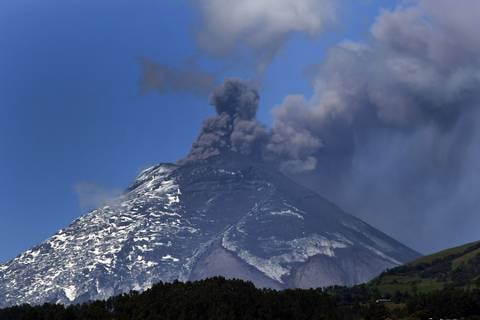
x=235 y=128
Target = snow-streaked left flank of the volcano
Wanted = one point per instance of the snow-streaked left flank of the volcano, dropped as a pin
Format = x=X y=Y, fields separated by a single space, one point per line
x=133 y=236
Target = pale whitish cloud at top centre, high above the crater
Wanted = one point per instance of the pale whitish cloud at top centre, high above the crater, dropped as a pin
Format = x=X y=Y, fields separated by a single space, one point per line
x=259 y=27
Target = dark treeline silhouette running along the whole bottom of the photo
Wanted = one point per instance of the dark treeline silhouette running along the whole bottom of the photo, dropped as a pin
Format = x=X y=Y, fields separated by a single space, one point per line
x=220 y=299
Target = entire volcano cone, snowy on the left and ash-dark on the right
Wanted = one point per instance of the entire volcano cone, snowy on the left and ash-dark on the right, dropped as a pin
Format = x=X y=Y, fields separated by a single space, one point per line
x=227 y=215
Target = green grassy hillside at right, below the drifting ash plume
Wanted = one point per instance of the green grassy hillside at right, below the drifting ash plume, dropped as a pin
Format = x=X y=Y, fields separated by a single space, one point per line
x=458 y=267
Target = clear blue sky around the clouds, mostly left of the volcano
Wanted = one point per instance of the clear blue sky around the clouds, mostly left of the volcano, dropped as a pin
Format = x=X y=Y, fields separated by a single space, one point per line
x=70 y=108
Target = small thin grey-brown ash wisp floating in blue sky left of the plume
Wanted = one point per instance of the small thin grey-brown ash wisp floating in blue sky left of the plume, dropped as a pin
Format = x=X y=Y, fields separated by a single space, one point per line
x=165 y=79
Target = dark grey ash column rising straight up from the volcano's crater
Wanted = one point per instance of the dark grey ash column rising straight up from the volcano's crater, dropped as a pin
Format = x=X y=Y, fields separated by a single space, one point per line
x=235 y=127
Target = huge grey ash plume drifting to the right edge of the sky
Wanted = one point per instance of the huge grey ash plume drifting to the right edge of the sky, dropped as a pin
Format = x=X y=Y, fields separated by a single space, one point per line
x=392 y=124
